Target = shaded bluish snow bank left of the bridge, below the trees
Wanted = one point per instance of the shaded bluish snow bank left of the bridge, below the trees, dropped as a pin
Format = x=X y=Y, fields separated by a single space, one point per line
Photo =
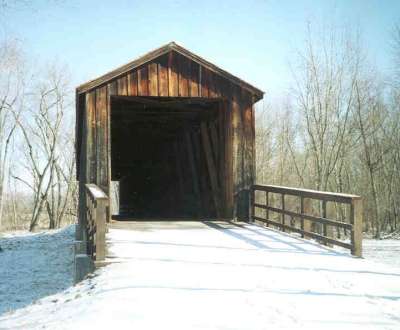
x=34 y=265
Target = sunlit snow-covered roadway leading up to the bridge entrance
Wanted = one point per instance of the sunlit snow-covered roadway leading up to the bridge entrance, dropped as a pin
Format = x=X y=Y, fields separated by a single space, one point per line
x=220 y=276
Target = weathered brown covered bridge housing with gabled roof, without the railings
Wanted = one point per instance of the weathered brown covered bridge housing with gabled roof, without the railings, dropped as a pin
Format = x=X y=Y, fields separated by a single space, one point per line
x=176 y=131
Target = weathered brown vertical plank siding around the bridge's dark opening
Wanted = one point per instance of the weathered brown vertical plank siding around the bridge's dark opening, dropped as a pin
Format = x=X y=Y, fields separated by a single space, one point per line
x=175 y=75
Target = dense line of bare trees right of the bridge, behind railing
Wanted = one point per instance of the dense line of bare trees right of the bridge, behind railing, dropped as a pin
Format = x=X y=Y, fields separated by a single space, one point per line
x=338 y=127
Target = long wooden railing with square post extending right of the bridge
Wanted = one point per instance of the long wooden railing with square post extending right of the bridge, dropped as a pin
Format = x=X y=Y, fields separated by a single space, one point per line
x=301 y=214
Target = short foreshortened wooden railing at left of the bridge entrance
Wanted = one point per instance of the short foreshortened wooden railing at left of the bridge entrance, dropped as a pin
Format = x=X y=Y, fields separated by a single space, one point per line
x=96 y=216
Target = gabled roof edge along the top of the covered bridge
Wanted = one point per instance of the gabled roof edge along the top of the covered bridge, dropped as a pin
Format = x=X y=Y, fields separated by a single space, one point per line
x=172 y=46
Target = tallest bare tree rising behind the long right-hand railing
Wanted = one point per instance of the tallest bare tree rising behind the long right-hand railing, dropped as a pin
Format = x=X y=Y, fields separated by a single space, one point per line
x=324 y=90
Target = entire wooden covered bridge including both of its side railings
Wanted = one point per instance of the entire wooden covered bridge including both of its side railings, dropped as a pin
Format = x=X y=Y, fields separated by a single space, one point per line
x=178 y=134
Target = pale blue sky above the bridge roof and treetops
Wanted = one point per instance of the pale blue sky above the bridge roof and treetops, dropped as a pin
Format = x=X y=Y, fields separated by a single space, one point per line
x=252 y=39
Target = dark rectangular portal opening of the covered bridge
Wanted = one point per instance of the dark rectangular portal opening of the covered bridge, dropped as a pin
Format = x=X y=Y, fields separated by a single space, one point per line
x=166 y=155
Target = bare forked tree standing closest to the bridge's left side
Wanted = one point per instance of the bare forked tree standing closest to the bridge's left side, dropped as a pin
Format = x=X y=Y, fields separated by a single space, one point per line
x=48 y=162
